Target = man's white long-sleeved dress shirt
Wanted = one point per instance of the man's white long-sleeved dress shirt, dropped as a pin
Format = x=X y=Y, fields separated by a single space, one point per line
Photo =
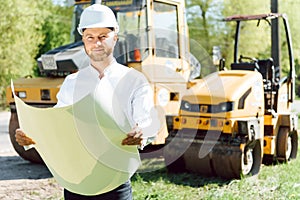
x=124 y=94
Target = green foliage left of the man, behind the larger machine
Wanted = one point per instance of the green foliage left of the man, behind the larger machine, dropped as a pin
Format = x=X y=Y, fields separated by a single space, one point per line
x=28 y=28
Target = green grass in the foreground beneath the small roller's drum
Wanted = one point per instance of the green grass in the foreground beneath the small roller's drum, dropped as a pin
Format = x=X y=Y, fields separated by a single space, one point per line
x=280 y=181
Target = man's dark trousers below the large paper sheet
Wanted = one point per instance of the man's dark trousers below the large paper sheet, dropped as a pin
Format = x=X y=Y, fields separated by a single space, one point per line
x=123 y=192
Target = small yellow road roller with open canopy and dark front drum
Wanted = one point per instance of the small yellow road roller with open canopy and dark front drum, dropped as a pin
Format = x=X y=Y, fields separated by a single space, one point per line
x=234 y=120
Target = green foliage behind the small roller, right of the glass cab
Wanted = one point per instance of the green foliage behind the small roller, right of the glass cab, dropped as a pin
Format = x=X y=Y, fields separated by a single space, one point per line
x=207 y=29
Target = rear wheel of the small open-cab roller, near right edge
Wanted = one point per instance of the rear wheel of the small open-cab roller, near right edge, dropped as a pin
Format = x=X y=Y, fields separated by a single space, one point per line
x=287 y=144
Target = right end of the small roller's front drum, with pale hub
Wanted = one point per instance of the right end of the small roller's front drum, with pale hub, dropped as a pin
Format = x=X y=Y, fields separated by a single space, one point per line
x=251 y=159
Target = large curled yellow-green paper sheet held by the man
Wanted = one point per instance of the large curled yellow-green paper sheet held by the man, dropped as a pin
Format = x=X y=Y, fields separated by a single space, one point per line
x=80 y=144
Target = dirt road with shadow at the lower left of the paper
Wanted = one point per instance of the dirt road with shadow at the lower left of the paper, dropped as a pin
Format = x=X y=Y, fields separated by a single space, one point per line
x=20 y=179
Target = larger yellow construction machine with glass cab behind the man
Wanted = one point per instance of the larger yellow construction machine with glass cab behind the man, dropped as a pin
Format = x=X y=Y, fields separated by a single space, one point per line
x=153 y=38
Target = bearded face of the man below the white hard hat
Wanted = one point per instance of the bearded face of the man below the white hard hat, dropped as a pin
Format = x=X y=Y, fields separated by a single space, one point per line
x=99 y=43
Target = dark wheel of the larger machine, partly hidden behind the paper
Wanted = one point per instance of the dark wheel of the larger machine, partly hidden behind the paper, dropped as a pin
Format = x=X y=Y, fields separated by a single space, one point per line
x=31 y=155
